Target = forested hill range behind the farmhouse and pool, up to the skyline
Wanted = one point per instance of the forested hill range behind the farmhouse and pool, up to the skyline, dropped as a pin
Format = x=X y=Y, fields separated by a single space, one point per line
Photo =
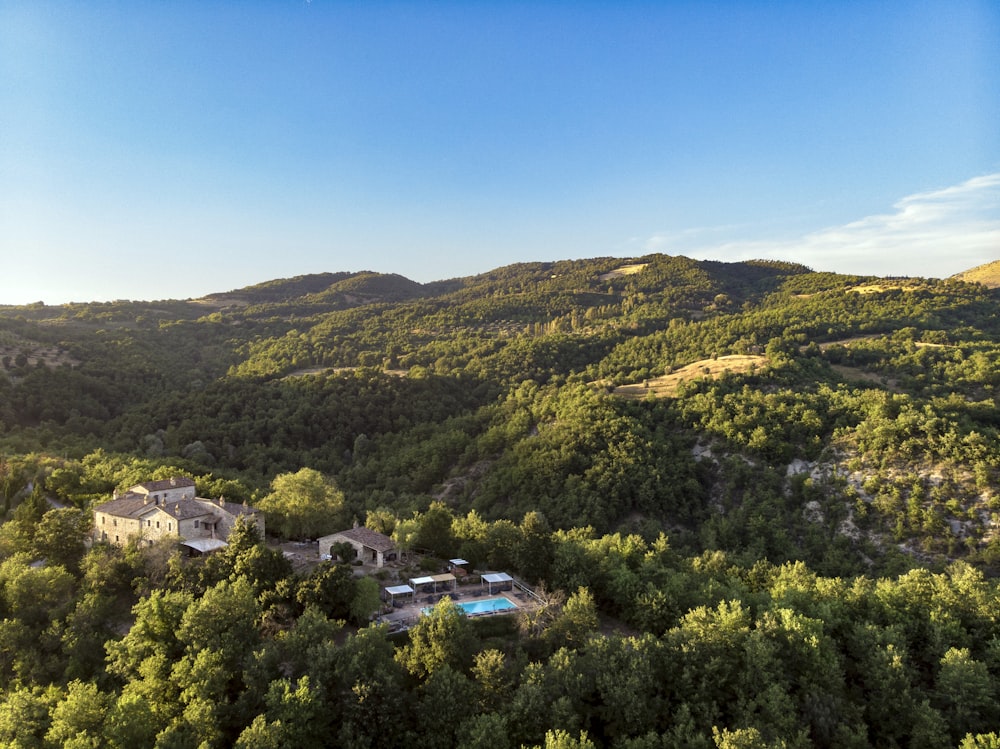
x=757 y=407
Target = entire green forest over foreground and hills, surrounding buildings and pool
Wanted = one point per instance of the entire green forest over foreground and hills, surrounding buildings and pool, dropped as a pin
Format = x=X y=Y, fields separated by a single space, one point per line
x=797 y=551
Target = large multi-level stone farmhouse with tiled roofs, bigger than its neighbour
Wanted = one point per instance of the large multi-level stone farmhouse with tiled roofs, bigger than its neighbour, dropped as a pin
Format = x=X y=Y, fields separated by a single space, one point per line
x=156 y=509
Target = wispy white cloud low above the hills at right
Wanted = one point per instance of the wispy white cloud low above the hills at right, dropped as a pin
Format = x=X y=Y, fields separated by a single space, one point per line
x=936 y=234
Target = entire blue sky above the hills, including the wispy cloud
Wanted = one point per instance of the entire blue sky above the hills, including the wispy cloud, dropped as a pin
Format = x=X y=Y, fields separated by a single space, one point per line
x=169 y=150
